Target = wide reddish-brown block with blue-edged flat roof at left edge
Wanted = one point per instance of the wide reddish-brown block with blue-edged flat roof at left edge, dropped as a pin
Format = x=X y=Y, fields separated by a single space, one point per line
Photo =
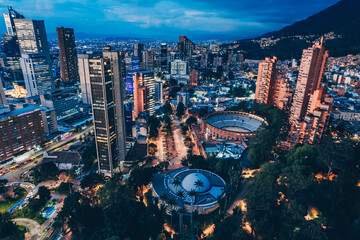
x=20 y=130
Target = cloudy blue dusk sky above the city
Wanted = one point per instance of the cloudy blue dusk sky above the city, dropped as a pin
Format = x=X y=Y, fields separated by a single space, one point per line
x=198 y=19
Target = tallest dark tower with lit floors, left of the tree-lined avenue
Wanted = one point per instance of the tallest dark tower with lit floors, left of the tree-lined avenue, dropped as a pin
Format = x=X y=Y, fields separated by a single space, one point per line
x=109 y=122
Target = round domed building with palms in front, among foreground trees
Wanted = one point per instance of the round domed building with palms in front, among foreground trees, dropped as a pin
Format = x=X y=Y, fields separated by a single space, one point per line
x=194 y=189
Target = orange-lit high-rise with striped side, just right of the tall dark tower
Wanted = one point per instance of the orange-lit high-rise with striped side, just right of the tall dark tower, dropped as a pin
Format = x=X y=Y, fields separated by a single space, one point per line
x=144 y=94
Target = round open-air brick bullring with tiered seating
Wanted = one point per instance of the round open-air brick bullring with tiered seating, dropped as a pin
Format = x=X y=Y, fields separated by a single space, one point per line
x=231 y=125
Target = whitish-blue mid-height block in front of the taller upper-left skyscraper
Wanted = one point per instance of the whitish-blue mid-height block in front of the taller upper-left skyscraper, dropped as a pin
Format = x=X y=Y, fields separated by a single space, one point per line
x=37 y=74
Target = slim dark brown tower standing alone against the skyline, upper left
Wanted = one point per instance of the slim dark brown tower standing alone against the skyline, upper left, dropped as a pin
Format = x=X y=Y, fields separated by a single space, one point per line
x=67 y=54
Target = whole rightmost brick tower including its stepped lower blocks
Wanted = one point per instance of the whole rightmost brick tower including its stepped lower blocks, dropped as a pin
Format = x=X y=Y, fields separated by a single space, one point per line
x=311 y=106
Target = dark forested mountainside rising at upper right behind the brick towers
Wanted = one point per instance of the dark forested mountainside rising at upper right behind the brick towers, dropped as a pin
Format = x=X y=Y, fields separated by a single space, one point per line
x=339 y=23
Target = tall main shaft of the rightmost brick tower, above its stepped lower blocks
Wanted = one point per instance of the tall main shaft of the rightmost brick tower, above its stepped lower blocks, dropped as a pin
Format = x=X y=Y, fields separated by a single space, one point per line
x=310 y=74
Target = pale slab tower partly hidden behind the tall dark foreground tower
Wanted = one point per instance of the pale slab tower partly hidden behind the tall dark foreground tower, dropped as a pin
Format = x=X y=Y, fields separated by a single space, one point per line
x=84 y=75
